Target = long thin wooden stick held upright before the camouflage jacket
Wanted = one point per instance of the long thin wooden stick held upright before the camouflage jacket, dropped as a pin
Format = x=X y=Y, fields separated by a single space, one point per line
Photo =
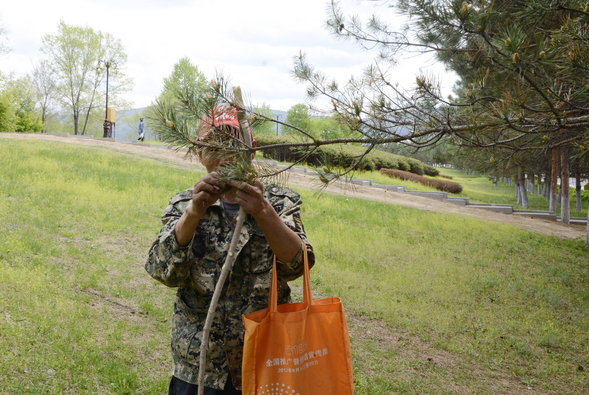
x=228 y=265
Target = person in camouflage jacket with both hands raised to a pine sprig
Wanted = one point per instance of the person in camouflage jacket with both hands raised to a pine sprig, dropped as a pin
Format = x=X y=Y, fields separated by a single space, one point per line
x=189 y=253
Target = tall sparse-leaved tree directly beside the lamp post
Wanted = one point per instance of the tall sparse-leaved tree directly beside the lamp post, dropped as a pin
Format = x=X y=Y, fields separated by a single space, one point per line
x=73 y=55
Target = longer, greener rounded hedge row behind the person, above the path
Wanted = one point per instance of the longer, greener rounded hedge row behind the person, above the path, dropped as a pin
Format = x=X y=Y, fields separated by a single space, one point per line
x=342 y=155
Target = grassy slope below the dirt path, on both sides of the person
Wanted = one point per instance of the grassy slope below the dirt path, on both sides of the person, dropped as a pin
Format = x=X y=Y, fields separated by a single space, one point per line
x=442 y=304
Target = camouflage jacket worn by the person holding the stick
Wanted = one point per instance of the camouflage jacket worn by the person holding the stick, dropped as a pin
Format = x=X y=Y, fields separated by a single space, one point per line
x=195 y=269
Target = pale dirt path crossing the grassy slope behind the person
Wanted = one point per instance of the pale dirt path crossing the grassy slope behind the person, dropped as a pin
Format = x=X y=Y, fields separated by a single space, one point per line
x=303 y=180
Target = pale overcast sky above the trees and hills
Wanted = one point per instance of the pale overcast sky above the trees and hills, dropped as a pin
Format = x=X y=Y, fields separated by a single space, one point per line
x=253 y=42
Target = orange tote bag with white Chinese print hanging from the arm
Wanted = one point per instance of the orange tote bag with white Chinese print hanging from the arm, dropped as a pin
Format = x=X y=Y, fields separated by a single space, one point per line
x=297 y=348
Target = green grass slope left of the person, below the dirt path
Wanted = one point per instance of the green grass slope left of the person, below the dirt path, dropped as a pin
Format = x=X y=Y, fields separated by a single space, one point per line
x=78 y=314
